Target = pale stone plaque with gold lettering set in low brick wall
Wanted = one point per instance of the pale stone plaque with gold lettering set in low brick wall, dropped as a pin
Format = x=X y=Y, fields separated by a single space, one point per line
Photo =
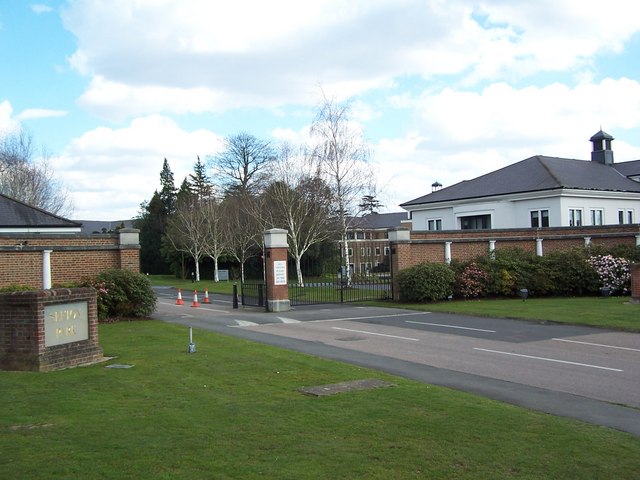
x=65 y=323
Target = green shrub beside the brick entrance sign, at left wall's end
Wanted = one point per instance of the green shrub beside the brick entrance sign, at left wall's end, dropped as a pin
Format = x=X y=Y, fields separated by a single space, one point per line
x=123 y=294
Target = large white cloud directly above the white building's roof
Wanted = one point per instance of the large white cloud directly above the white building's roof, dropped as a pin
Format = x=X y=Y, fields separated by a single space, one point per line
x=461 y=135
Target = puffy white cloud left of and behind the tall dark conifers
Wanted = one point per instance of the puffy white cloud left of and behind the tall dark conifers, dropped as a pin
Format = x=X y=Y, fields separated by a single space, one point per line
x=111 y=171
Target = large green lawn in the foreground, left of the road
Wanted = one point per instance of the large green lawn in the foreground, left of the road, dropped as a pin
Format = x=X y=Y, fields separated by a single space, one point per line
x=232 y=410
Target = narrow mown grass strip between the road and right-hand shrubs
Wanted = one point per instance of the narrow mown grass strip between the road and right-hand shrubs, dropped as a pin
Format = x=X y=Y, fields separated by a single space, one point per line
x=605 y=312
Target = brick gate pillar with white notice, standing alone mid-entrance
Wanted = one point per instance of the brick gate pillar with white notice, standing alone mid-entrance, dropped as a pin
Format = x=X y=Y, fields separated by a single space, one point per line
x=276 y=253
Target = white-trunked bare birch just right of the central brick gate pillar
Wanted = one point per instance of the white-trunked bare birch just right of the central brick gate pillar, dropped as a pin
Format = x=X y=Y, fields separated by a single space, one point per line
x=300 y=202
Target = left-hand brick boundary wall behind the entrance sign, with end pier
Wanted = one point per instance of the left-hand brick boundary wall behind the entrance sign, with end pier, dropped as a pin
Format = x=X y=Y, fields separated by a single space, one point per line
x=73 y=257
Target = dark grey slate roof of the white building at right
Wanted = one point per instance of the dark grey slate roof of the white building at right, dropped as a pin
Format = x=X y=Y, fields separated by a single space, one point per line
x=538 y=173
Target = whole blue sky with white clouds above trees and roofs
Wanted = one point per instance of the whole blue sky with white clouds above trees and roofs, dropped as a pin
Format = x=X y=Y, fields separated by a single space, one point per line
x=442 y=90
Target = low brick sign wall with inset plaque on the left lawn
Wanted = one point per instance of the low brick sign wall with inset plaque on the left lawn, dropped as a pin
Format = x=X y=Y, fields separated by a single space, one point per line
x=44 y=330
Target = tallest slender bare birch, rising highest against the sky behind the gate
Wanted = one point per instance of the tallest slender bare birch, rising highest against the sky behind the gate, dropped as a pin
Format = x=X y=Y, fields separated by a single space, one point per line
x=343 y=160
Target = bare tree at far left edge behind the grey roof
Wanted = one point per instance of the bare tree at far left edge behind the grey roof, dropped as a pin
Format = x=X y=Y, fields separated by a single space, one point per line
x=28 y=180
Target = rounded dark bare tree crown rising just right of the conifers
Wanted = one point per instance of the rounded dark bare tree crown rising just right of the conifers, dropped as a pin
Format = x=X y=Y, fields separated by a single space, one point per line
x=242 y=164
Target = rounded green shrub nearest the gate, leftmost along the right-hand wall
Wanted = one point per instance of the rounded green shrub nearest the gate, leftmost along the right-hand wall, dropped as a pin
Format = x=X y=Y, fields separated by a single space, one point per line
x=427 y=282
